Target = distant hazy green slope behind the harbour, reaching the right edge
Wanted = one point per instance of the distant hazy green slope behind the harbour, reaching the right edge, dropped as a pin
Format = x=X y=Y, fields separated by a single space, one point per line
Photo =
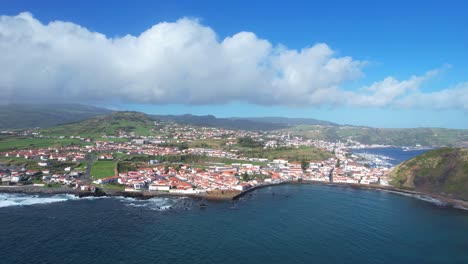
x=386 y=136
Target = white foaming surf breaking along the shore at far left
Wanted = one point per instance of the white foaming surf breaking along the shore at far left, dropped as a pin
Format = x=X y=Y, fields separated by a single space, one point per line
x=7 y=200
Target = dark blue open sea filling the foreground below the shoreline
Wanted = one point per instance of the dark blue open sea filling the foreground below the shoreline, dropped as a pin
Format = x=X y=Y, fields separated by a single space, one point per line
x=280 y=224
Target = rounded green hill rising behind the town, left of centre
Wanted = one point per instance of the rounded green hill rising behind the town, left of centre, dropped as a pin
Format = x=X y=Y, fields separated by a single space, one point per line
x=127 y=122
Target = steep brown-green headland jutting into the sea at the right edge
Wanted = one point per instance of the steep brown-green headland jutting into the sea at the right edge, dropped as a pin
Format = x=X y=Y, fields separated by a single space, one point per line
x=441 y=171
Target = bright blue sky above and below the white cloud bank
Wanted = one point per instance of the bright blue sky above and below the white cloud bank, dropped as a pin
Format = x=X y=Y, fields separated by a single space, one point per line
x=394 y=39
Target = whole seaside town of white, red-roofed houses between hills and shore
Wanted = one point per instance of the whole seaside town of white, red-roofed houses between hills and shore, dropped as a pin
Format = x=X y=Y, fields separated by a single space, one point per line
x=155 y=171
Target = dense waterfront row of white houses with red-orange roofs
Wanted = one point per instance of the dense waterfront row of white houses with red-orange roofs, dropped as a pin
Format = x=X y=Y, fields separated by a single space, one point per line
x=190 y=180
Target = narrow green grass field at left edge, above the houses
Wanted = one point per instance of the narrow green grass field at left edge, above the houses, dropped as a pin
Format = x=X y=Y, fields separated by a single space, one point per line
x=15 y=143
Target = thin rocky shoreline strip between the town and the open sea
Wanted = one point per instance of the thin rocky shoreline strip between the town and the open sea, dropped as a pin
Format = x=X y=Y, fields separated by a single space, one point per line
x=230 y=195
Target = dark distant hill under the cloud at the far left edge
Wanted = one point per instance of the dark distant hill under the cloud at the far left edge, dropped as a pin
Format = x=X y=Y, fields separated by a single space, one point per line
x=17 y=116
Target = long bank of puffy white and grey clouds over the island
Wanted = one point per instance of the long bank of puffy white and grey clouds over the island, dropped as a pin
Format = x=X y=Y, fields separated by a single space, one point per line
x=185 y=62
